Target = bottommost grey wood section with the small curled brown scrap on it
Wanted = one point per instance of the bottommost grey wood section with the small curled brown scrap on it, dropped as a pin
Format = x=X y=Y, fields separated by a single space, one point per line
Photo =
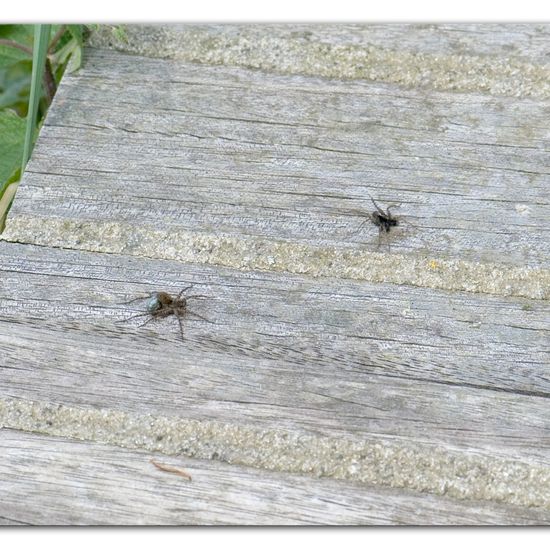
x=48 y=480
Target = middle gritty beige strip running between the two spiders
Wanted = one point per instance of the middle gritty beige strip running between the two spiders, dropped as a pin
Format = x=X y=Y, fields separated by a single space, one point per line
x=255 y=253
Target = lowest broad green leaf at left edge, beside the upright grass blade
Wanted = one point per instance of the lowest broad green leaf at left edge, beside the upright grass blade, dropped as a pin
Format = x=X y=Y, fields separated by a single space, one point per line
x=12 y=130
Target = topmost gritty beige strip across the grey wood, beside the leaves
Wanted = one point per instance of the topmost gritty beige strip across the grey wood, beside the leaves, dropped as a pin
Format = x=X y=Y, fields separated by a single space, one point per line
x=297 y=53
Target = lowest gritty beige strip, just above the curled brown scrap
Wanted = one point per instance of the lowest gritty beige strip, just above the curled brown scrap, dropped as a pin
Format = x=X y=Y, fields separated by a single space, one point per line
x=421 y=468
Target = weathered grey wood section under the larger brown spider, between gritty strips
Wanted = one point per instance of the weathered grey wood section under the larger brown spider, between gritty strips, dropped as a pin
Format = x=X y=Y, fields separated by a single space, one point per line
x=359 y=360
